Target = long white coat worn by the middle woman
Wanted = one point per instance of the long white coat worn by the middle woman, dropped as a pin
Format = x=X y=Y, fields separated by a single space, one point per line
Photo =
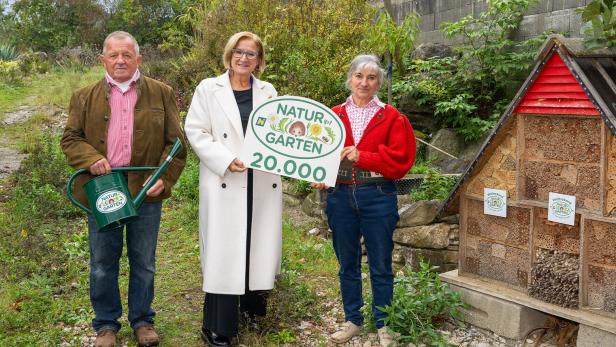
x=214 y=130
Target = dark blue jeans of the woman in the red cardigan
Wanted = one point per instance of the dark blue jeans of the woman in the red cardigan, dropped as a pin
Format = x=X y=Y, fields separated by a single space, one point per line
x=368 y=210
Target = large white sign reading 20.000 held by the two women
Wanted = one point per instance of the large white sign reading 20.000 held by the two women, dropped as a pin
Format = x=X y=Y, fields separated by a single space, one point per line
x=294 y=137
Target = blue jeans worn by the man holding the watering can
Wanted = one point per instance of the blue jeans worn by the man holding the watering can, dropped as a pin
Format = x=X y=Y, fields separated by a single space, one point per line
x=105 y=253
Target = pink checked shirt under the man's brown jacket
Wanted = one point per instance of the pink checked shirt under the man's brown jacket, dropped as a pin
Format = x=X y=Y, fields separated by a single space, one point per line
x=120 y=131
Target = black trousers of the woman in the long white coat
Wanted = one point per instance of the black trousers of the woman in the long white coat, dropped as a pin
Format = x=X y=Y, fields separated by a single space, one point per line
x=221 y=311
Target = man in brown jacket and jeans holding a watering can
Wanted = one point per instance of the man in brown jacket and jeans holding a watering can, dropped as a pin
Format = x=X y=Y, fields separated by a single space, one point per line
x=125 y=119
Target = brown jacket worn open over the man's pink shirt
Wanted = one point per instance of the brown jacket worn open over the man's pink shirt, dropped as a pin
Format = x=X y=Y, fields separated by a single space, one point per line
x=156 y=126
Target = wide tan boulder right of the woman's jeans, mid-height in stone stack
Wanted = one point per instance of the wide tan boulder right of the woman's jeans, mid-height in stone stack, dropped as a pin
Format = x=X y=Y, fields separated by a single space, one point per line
x=435 y=236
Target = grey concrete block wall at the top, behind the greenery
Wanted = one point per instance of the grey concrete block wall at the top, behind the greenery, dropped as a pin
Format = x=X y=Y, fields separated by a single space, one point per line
x=556 y=15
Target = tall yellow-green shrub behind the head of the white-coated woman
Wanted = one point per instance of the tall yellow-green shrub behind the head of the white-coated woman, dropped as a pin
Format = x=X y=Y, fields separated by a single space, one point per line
x=308 y=46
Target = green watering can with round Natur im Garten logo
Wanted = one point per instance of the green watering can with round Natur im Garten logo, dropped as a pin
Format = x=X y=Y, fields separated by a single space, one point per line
x=109 y=196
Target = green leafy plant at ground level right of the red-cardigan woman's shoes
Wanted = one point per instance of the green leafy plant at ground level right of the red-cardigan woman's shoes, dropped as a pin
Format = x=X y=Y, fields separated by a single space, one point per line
x=420 y=304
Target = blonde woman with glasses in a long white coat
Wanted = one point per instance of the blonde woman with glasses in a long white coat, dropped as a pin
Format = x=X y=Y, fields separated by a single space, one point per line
x=240 y=211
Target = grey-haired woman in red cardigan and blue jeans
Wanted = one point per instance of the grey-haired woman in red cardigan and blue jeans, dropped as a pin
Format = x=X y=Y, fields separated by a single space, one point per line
x=379 y=148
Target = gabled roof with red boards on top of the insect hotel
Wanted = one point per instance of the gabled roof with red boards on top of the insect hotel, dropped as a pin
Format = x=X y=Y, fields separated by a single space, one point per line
x=566 y=80
